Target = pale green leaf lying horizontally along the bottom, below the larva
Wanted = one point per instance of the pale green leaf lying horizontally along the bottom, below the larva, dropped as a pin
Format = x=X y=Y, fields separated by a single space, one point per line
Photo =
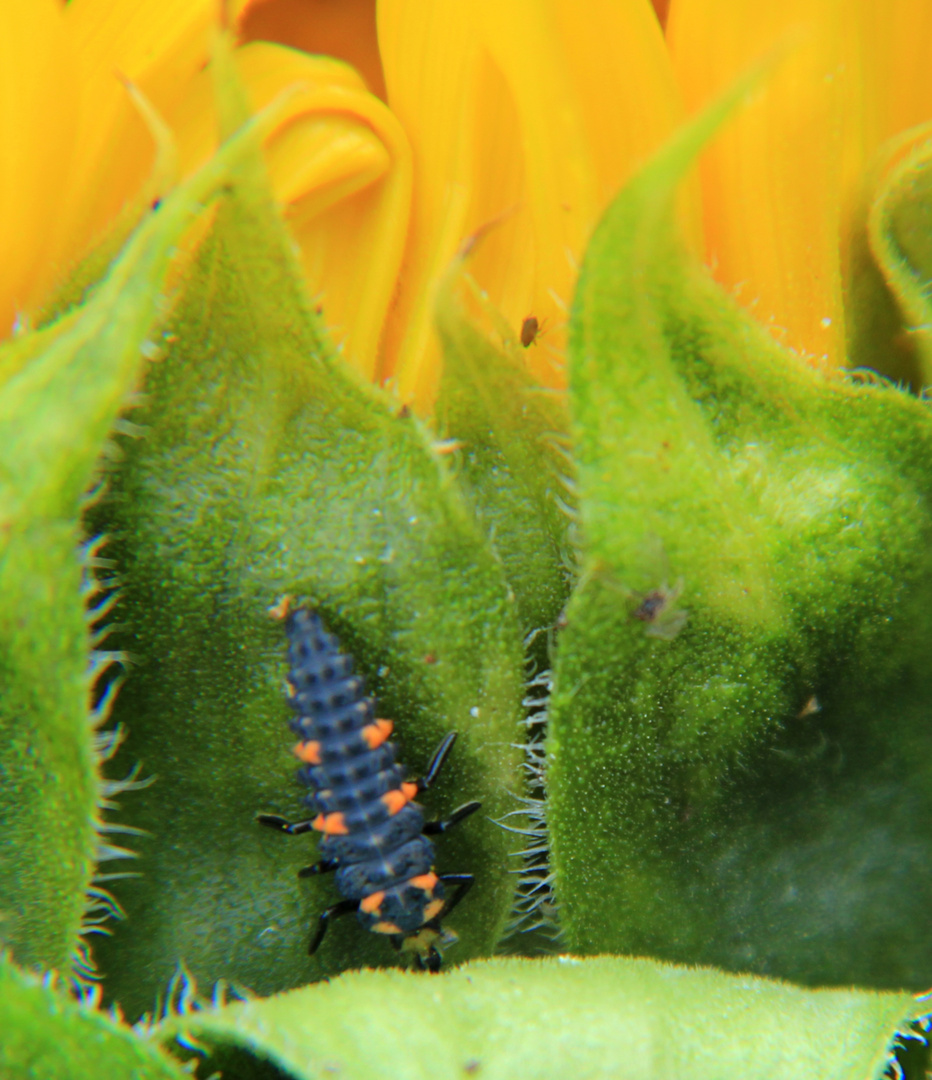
x=605 y=1018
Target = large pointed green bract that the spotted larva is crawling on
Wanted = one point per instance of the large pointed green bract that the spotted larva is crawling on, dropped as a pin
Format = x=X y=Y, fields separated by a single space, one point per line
x=268 y=470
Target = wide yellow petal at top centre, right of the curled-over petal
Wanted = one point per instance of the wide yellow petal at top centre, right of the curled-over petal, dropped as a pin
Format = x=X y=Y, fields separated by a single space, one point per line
x=535 y=113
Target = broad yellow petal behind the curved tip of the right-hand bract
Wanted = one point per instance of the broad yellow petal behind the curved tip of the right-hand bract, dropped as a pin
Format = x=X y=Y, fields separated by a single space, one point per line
x=773 y=181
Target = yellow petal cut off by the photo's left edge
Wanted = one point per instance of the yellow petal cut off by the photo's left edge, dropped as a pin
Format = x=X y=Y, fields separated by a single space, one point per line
x=37 y=133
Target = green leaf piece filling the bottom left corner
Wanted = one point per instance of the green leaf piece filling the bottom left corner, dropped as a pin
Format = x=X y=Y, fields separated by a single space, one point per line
x=50 y=1036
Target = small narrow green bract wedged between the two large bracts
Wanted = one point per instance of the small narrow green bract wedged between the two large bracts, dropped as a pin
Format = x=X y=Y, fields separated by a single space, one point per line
x=511 y=457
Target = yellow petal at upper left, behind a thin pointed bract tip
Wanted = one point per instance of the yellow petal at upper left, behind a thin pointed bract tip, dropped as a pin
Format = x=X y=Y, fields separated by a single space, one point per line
x=157 y=44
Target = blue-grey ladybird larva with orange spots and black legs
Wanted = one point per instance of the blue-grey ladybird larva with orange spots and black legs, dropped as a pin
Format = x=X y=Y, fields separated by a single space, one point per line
x=373 y=834
